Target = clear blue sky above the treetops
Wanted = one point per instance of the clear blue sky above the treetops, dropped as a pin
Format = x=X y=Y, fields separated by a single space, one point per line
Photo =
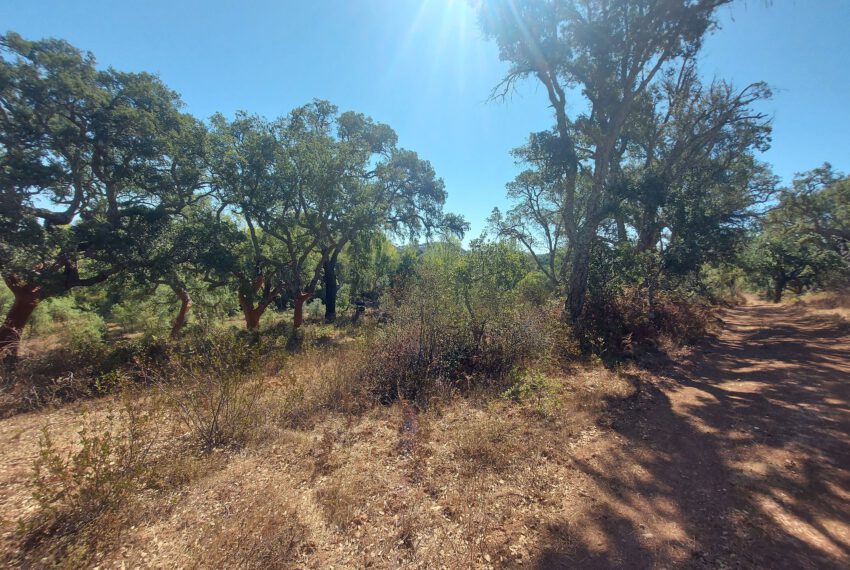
x=422 y=67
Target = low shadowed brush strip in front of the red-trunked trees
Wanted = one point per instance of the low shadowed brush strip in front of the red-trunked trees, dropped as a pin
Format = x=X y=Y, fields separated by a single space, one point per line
x=53 y=371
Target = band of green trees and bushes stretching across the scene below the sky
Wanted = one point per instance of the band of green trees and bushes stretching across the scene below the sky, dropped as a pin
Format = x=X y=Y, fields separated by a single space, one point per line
x=633 y=207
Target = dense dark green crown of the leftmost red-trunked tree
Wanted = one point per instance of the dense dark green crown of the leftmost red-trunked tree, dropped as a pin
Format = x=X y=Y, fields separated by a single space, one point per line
x=73 y=135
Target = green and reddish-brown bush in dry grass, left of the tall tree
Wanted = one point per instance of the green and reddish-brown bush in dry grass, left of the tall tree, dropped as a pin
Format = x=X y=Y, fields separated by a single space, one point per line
x=462 y=324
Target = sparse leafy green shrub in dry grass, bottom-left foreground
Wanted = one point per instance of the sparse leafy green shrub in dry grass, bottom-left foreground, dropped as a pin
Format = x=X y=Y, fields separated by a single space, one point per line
x=82 y=494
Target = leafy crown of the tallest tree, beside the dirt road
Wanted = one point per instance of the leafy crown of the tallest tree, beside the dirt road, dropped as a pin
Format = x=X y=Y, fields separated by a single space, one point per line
x=655 y=156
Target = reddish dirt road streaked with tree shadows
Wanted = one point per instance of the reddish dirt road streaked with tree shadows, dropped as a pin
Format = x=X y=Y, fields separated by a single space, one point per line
x=736 y=458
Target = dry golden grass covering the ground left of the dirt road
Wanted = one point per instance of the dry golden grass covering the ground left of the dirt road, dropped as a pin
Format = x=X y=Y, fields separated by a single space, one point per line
x=330 y=478
